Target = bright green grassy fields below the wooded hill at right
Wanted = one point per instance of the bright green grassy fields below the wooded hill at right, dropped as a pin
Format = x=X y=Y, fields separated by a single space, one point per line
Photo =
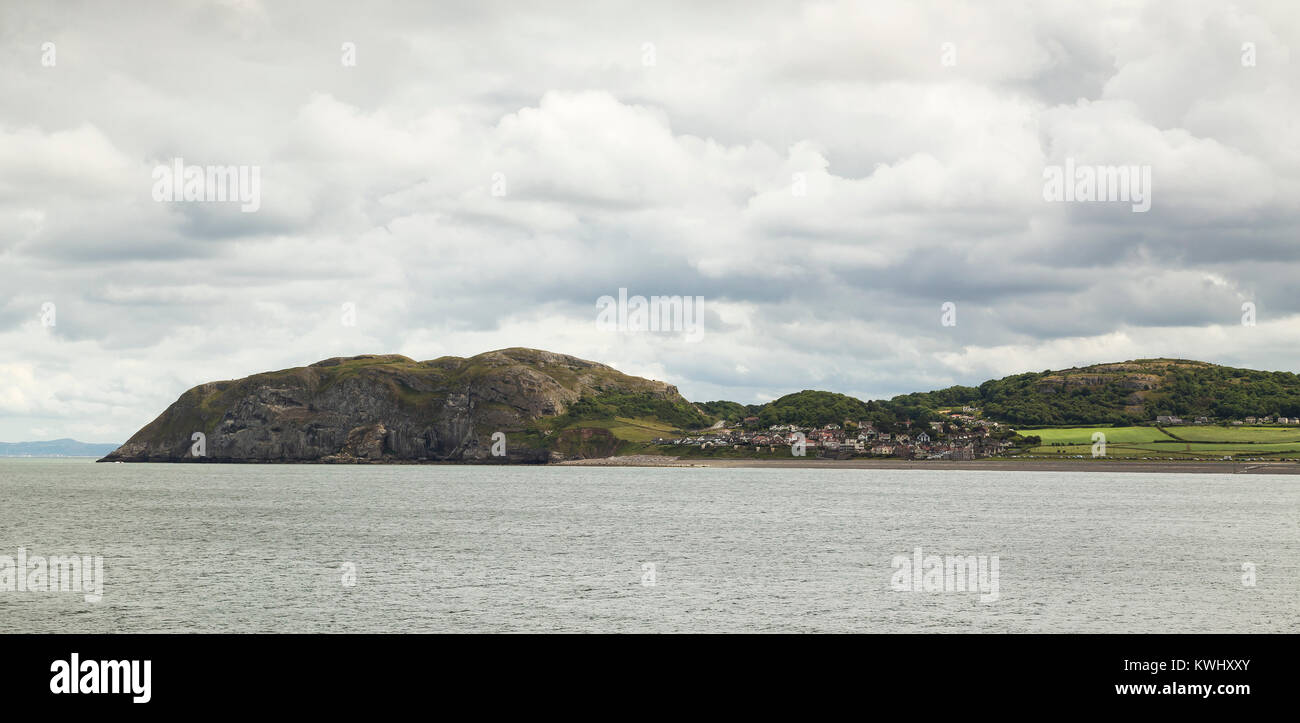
x=1191 y=443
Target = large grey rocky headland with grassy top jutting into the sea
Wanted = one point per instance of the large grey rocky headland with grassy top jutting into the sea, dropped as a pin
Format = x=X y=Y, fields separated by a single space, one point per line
x=384 y=409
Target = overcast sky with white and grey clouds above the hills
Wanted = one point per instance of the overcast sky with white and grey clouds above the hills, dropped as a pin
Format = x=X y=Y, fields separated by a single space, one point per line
x=475 y=176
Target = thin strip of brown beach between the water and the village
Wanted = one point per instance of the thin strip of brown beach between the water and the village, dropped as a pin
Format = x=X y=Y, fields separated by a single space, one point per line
x=987 y=465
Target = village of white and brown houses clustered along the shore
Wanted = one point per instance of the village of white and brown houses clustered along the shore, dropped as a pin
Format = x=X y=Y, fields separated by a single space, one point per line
x=963 y=436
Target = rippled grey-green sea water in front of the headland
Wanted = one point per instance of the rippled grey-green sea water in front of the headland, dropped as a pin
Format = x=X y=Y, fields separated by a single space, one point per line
x=473 y=549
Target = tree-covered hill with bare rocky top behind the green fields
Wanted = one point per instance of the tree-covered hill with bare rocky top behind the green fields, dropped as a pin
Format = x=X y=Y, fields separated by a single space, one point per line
x=1125 y=393
